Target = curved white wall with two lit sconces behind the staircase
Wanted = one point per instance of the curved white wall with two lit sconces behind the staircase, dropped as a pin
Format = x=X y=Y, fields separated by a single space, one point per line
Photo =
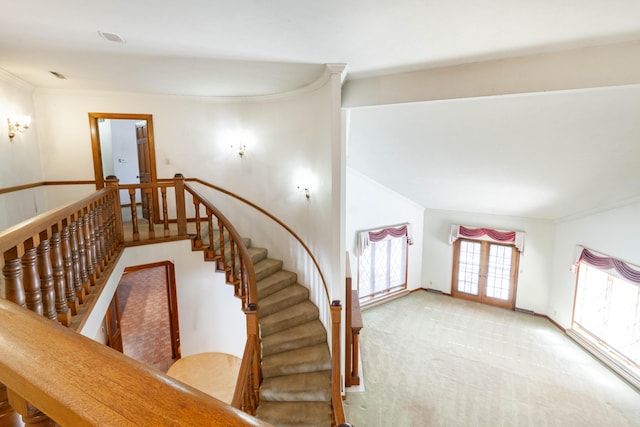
x=291 y=134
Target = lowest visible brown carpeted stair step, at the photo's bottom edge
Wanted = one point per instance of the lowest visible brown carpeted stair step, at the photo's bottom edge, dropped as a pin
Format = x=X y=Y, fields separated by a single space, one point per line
x=289 y=414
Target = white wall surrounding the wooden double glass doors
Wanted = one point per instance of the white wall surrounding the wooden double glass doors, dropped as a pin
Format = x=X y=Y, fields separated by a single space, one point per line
x=534 y=274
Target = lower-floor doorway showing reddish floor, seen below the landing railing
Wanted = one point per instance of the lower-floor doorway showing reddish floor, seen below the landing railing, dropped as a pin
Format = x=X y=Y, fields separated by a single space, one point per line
x=148 y=311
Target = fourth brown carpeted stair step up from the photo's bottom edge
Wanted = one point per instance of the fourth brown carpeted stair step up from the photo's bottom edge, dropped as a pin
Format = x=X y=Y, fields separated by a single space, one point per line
x=303 y=335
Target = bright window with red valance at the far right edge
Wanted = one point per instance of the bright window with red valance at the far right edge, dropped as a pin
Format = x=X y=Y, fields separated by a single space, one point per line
x=606 y=312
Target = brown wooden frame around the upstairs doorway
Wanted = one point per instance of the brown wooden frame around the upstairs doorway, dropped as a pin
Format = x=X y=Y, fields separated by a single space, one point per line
x=97 y=149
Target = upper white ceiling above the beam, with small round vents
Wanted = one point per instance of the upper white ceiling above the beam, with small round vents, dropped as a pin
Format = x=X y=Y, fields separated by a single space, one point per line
x=210 y=47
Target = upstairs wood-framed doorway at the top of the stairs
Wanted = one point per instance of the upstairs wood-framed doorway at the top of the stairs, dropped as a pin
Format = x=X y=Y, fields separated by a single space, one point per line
x=123 y=145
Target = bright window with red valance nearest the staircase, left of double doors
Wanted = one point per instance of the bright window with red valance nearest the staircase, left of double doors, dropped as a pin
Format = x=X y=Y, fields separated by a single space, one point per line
x=382 y=262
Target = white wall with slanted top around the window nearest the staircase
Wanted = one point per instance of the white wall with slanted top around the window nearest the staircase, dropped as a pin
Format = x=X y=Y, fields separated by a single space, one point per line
x=371 y=205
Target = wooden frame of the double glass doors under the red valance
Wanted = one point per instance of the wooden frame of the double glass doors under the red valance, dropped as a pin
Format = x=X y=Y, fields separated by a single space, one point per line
x=509 y=304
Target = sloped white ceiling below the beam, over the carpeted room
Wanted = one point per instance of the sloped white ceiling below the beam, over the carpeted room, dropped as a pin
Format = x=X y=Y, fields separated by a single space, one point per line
x=545 y=155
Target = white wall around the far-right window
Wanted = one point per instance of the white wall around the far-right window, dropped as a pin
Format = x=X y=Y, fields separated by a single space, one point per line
x=613 y=232
